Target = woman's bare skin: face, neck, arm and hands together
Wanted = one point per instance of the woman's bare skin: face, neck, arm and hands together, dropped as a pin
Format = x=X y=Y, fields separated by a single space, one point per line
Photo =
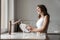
x=45 y=23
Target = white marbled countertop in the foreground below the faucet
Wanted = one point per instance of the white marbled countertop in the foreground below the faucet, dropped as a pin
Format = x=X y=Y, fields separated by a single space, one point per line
x=20 y=35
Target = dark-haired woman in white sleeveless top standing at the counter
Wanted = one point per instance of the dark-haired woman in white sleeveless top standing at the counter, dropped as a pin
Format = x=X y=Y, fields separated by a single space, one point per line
x=42 y=23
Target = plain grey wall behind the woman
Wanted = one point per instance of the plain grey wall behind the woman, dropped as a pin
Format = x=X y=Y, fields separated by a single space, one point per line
x=27 y=10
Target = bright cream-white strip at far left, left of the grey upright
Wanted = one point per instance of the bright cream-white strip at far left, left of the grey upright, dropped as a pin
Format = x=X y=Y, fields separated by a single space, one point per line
x=4 y=15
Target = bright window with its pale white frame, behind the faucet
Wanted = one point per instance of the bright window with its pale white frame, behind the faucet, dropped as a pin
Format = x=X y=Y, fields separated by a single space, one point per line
x=7 y=14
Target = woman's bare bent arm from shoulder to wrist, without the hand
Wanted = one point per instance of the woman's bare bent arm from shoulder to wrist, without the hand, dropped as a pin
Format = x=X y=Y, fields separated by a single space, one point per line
x=44 y=26
